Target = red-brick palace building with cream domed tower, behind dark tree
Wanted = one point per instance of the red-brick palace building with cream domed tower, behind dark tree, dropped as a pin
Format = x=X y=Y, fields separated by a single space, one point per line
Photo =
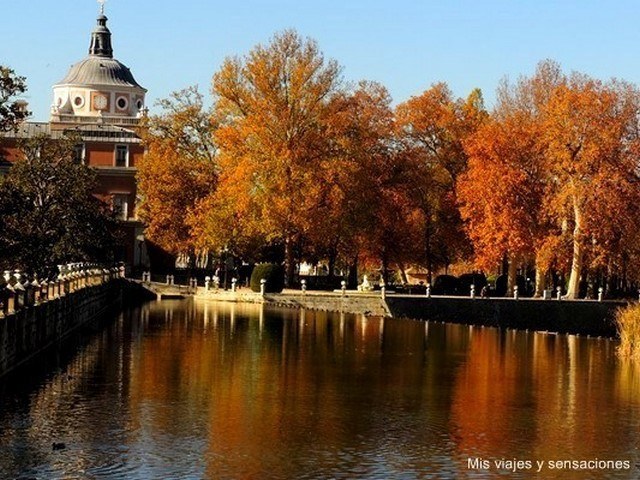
x=100 y=101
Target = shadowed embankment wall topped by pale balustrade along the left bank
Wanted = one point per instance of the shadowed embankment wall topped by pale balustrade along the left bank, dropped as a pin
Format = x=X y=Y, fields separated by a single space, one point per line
x=34 y=316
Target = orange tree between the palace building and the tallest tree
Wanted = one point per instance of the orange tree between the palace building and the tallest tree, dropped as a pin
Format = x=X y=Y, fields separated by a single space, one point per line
x=178 y=169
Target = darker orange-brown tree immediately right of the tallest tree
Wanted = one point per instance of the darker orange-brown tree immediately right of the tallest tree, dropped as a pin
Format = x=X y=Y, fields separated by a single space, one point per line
x=366 y=212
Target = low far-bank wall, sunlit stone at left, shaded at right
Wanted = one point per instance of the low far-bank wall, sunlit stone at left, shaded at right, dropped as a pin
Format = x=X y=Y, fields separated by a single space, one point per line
x=581 y=317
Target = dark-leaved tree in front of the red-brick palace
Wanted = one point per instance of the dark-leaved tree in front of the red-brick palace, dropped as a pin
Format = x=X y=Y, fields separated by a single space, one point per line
x=48 y=214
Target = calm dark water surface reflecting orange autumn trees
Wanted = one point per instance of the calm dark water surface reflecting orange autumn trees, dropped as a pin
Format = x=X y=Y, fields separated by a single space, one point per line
x=195 y=390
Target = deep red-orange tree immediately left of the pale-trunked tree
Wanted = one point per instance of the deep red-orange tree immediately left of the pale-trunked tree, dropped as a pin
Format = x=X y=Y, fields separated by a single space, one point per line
x=502 y=192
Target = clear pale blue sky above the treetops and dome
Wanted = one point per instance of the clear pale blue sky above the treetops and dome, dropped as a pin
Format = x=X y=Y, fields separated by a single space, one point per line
x=407 y=45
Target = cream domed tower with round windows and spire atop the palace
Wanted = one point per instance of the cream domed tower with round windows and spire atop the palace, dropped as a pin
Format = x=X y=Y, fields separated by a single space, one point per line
x=98 y=89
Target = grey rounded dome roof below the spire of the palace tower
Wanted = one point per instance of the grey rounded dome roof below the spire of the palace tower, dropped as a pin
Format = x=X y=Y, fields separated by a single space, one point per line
x=103 y=71
